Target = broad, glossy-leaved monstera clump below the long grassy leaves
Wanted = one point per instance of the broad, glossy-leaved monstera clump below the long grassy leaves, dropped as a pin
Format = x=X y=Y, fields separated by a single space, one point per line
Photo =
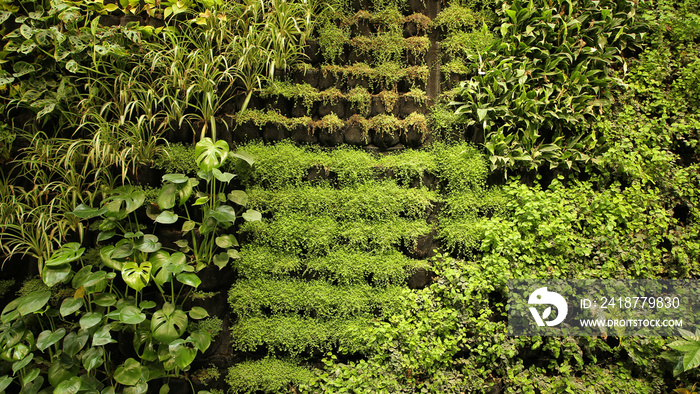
x=63 y=338
